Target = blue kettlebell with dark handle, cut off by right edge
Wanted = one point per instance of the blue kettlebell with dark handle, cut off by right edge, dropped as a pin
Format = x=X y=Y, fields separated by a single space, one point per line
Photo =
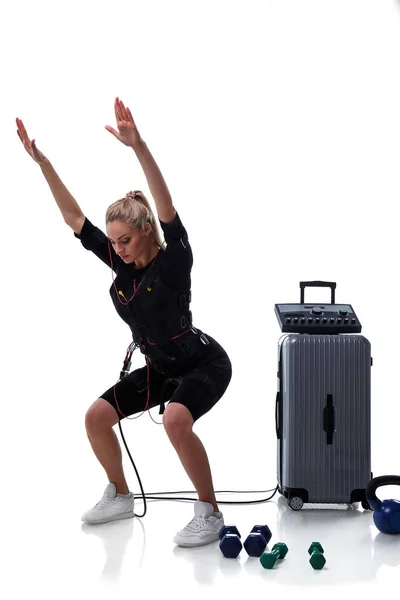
x=387 y=513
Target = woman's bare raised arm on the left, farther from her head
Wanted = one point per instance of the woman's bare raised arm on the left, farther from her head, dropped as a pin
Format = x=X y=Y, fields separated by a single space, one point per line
x=70 y=209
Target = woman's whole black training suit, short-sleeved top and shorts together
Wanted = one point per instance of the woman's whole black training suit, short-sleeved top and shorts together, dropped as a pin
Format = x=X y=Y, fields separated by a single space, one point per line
x=185 y=365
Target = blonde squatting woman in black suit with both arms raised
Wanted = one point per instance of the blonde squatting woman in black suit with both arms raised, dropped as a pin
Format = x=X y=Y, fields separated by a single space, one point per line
x=151 y=293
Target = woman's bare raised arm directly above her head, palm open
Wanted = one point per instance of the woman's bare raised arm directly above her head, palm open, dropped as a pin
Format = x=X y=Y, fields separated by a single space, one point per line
x=129 y=135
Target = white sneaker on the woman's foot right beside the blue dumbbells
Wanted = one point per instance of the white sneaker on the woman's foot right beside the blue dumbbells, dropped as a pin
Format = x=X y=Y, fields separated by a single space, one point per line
x=203 y=528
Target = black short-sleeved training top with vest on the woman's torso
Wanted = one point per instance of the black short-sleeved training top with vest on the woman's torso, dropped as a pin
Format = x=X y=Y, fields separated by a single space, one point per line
x=159 y=315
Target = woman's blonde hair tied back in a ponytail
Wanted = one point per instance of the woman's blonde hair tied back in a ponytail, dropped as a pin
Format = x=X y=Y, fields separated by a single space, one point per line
x=136 y=211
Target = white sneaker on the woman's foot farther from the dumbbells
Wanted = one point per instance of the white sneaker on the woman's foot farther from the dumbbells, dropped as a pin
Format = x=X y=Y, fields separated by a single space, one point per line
x=111 y=507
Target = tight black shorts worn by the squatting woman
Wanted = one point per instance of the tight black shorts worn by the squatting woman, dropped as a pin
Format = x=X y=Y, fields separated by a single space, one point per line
x=199 y=389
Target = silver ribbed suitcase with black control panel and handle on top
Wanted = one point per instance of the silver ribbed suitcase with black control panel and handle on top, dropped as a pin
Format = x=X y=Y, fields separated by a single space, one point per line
x=323 y=404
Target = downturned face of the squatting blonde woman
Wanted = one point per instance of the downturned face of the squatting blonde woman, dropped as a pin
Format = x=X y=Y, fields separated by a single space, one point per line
x=128 y=242
